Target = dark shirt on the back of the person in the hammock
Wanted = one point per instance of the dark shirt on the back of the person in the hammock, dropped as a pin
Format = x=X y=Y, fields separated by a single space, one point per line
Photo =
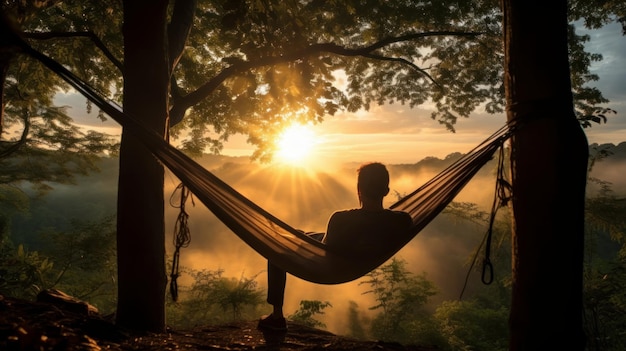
x=360 y=230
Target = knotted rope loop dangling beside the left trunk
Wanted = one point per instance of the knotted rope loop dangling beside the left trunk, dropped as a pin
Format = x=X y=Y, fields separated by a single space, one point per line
x=181 y=238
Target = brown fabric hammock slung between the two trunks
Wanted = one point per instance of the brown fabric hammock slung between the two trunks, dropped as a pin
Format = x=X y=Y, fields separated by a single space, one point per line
x=275 y=240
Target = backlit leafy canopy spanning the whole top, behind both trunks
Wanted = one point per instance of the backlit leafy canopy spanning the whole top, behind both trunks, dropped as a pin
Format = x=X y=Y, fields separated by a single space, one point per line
x=253 y=67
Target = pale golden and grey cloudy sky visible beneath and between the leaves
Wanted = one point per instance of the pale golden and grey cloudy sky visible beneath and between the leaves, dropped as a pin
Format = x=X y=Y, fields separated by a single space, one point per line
x=398 y=134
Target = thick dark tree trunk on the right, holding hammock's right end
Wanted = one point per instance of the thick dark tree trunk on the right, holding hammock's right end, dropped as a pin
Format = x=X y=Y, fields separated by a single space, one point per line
x=549 y=165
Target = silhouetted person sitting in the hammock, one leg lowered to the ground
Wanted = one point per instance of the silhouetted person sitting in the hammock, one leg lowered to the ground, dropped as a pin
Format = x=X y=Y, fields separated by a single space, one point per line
x=354 y=229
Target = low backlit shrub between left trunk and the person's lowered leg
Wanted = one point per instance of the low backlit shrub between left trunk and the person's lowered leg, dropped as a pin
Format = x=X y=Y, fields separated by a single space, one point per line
x=214 y=299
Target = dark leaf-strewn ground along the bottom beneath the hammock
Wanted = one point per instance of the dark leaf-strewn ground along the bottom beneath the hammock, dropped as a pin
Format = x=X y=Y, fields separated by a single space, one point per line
x=58 y=324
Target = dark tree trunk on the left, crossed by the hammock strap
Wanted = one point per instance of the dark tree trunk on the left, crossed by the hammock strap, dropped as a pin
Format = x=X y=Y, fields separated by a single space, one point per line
x=140 y=228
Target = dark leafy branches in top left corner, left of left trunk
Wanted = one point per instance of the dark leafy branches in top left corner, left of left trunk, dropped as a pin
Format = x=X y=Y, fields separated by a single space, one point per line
x=84 y=35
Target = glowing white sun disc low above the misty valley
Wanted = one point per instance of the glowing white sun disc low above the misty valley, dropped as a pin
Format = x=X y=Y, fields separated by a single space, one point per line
x=295 y=144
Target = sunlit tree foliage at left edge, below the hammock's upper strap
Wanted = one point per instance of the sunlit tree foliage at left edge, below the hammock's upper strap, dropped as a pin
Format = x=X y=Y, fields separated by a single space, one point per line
x=46 y=146
